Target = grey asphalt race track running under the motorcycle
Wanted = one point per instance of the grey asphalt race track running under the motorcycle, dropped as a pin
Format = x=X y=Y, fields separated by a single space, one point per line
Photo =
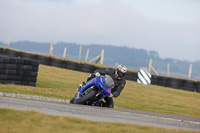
x=103 y=114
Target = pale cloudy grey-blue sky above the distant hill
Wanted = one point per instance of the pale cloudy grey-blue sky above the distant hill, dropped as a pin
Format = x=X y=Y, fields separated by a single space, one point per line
x=170 y=27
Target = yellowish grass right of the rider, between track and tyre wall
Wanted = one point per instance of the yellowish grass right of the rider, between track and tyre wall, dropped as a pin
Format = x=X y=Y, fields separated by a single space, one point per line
x=159 y=99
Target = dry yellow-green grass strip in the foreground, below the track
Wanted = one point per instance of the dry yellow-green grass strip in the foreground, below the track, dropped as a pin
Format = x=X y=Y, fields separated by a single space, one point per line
x=35 y=122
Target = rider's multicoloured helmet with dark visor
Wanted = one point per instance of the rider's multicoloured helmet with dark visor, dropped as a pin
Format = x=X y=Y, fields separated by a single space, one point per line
x=120 y=72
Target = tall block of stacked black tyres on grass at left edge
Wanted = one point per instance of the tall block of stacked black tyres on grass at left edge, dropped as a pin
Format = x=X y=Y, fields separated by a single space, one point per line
x=18 y=71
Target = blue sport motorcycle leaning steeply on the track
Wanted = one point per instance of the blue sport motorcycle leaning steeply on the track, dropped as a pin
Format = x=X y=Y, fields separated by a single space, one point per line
x=94 y=90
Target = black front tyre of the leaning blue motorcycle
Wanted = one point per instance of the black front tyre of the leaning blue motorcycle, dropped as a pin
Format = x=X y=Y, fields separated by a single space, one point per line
x=84 y=98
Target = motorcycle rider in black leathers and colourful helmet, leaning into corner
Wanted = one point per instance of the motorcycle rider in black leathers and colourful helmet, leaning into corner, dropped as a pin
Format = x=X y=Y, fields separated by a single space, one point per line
x=118 y=78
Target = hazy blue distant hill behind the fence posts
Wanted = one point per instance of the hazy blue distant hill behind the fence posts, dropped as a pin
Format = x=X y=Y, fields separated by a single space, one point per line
x=133 y=58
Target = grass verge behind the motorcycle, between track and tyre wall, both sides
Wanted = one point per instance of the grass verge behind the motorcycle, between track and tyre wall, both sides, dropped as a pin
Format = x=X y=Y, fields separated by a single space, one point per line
x=61 y=83
